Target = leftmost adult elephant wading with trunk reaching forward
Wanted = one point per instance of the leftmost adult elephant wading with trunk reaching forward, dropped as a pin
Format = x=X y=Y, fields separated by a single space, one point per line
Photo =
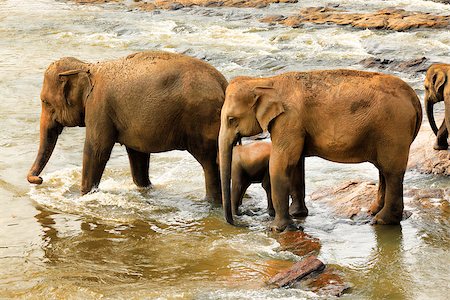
x=149 y=101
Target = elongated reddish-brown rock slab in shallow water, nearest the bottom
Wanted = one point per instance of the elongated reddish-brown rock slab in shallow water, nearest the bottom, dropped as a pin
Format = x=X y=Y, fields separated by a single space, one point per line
x=298 y=271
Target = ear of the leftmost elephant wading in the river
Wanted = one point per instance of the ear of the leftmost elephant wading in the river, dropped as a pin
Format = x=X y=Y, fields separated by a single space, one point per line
x=76 y=85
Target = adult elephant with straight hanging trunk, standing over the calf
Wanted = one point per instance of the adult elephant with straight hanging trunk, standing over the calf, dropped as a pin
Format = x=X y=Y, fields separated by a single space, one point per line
x=340 y=115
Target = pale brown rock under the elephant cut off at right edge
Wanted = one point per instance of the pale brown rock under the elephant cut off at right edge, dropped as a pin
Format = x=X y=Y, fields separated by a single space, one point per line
x=424 y=158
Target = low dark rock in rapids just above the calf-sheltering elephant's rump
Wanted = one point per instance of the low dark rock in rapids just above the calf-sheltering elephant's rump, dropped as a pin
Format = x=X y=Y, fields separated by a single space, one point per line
x=417 y=65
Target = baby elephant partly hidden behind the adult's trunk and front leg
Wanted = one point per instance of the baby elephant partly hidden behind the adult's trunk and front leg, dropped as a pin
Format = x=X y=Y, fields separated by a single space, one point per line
x=250 y=164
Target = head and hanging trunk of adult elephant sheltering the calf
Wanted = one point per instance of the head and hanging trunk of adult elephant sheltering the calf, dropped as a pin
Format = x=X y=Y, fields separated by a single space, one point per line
x=249 y=108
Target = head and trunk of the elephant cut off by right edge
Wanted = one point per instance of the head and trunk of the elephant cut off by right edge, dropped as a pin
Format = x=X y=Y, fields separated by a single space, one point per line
x=437 y=89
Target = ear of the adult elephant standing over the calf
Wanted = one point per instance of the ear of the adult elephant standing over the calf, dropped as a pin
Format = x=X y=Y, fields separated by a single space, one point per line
x=267 y=105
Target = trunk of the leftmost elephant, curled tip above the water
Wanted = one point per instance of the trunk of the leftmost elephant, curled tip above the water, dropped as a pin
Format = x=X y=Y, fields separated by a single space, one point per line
x=49 y=132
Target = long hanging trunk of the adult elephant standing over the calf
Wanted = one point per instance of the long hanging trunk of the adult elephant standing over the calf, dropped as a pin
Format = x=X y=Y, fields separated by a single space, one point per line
x=225 y=157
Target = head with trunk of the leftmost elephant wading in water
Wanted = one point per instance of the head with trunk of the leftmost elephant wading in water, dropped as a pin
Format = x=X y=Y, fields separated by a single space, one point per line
x=64 y=91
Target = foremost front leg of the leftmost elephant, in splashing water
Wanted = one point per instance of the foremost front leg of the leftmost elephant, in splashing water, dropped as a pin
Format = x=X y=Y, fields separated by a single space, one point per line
x=95 y=156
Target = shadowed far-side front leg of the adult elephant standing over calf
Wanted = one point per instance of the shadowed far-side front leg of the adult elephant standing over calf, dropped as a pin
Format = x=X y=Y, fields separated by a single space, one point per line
x=298 y=207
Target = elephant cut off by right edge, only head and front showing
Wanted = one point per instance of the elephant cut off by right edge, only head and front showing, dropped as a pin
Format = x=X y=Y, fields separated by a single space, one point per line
x=437 y=89
